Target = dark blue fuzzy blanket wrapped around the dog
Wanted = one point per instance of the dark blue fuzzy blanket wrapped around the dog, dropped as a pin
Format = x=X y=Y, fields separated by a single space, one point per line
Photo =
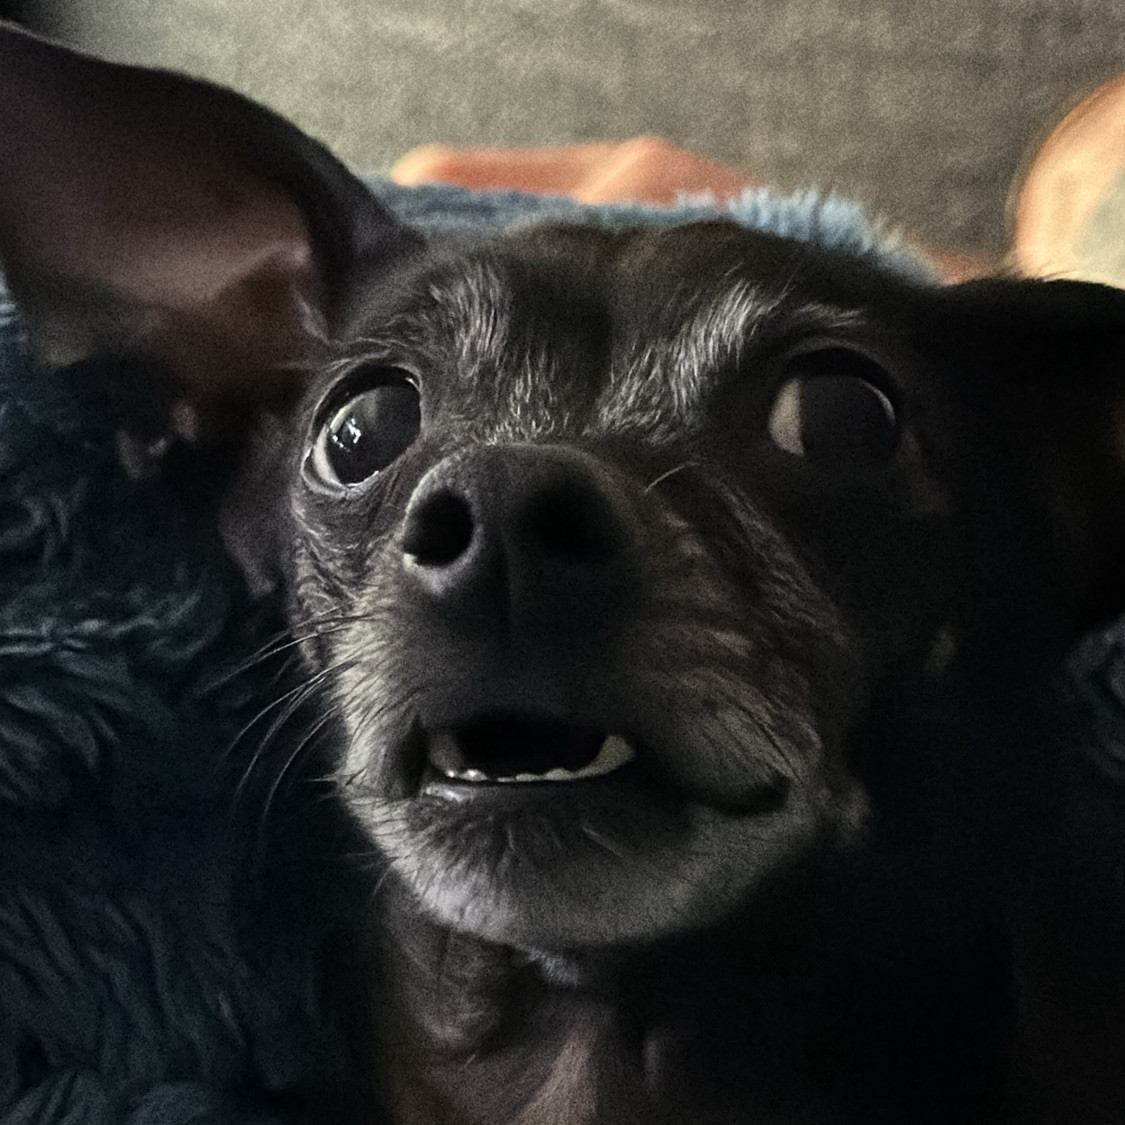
x=170 y=897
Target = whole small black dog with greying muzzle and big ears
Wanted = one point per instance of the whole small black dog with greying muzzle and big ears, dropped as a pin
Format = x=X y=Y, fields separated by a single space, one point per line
x=685 y=606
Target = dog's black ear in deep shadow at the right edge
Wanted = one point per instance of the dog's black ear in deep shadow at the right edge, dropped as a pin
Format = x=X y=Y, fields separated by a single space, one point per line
x=1043 y=366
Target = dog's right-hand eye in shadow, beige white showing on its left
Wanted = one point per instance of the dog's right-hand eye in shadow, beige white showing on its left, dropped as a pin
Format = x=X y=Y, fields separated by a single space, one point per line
x=832 y=412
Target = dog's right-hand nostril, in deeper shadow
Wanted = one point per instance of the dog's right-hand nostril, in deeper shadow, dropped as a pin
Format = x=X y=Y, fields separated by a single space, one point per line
x=571 y=524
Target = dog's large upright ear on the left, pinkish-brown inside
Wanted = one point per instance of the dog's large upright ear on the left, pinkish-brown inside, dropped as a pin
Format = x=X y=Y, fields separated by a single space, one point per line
x=148 y=214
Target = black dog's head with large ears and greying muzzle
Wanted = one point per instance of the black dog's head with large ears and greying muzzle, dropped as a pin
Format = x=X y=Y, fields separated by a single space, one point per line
x=623 y=560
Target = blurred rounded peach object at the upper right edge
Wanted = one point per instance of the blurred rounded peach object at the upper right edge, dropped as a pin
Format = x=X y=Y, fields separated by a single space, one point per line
x=1069 y=210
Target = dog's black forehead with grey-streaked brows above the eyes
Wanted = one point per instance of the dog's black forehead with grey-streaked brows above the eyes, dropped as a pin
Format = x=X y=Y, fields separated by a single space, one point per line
x=584 y=329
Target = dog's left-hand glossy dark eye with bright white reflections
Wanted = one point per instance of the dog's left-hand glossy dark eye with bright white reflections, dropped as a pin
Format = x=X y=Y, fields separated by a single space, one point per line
x=370 y=431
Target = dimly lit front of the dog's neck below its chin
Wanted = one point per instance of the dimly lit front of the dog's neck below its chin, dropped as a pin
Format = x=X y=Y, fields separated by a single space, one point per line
x=454 y=1020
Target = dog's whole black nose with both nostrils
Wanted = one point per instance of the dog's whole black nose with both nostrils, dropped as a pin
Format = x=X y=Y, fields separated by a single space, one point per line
x=529 y=533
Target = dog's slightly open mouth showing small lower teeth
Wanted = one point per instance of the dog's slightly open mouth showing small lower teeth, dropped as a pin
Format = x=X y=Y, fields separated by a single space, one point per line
x=506 y=750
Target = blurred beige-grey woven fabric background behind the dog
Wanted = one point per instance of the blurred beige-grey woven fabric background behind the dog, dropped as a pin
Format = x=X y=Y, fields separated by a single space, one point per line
x=926 y=112
